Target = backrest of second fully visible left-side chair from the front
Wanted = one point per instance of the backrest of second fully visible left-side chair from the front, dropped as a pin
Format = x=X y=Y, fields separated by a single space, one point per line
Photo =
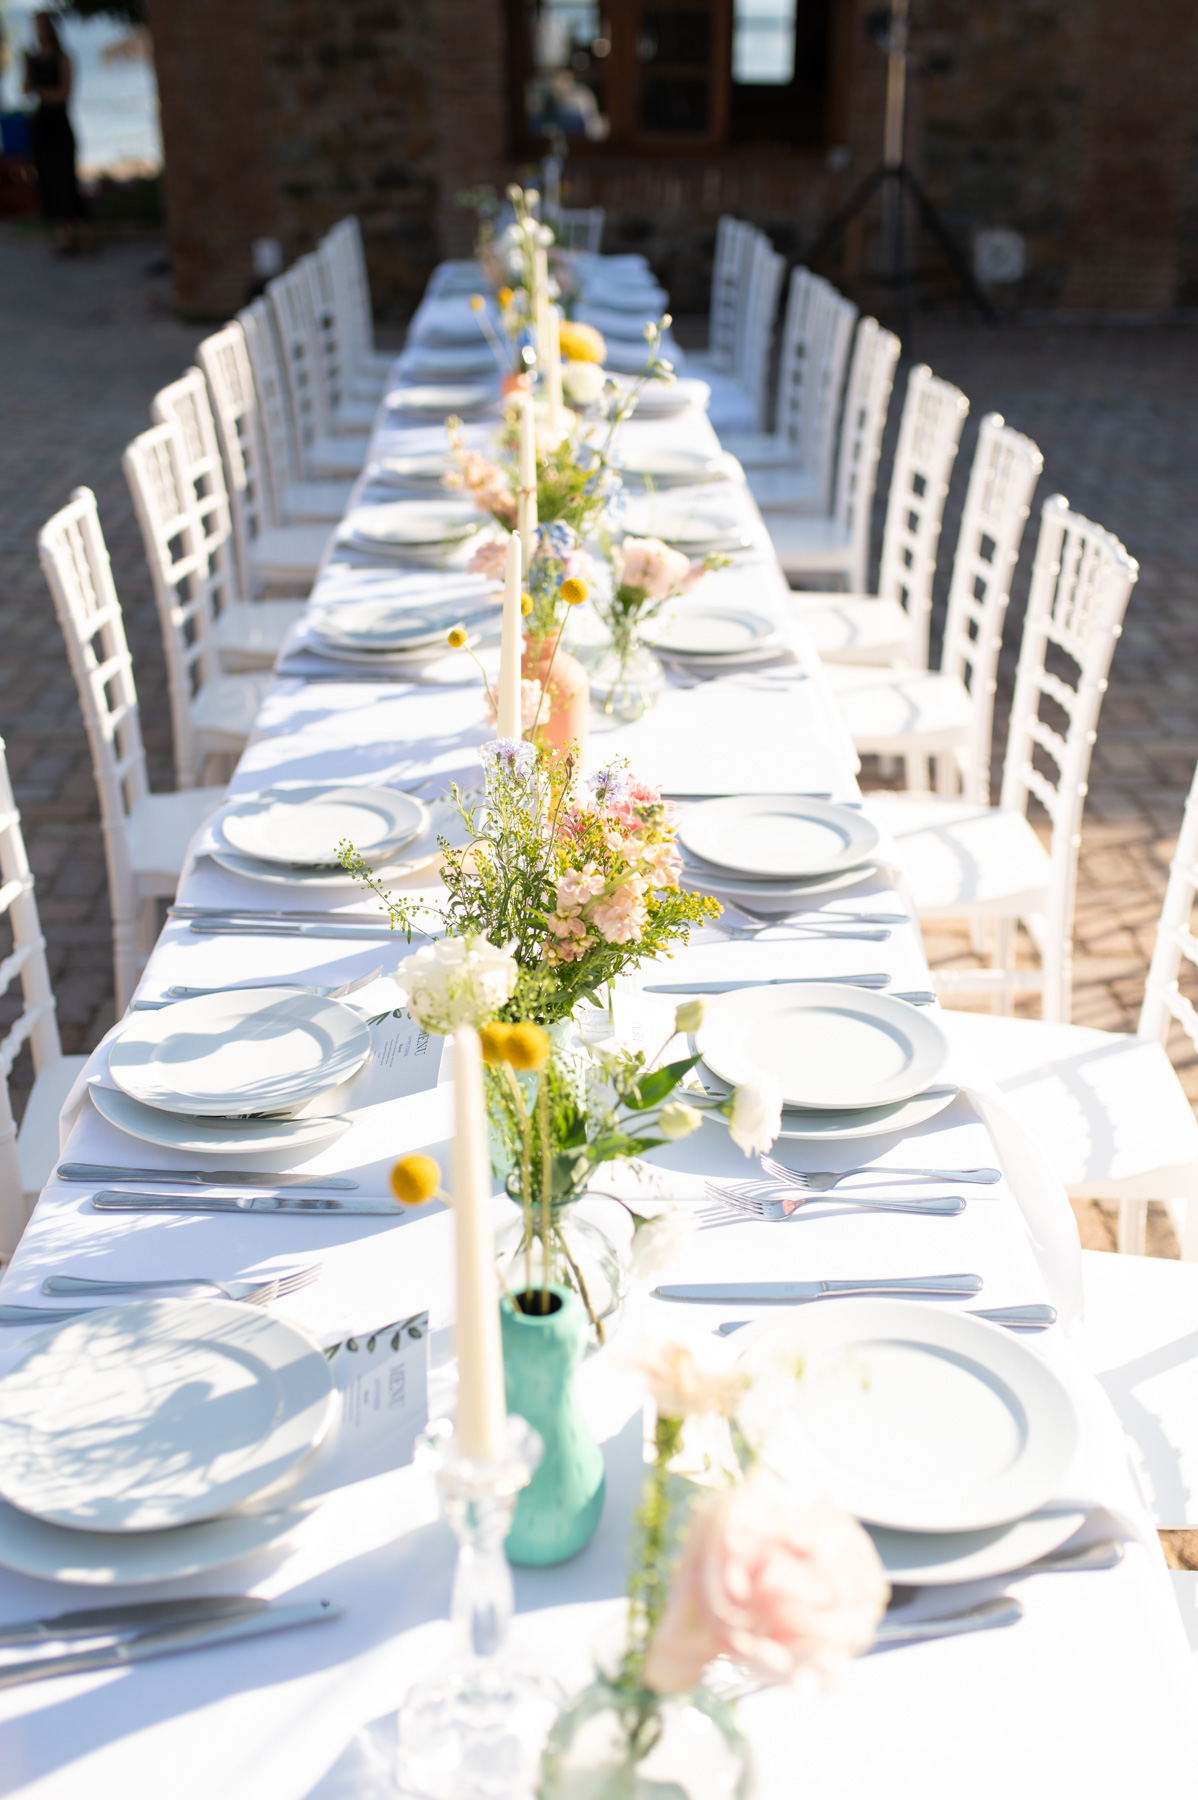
x=183 y=573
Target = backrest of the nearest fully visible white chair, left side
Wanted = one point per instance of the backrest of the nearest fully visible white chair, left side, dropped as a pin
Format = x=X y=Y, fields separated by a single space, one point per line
x=78 y=573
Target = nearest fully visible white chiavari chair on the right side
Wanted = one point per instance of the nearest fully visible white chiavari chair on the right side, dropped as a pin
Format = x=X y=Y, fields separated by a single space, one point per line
x=967 y=859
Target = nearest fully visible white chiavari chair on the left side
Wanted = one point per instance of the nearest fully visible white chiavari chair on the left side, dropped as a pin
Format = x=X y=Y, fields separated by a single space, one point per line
x=147 y=834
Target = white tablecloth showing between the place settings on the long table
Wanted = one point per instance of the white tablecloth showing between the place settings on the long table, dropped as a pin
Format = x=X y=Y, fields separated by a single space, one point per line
x=1089 y=1695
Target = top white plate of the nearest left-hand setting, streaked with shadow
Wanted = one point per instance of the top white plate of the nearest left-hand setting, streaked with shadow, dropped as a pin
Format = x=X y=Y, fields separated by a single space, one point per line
x=159 y=1412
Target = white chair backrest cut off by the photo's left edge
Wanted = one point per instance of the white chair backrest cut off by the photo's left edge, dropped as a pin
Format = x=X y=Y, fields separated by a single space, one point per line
x=37 y=1023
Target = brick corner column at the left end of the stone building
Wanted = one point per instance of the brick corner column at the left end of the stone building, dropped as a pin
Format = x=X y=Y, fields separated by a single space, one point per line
x=215 y=136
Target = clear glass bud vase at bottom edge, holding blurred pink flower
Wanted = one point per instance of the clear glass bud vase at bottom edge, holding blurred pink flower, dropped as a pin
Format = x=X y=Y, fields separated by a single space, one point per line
x=618 y=1741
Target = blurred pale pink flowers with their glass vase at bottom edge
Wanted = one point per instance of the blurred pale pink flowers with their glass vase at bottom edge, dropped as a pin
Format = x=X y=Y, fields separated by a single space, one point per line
x=740 y=1567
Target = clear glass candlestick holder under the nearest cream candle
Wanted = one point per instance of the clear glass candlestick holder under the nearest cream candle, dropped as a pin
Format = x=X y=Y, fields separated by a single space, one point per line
x=478 y=1727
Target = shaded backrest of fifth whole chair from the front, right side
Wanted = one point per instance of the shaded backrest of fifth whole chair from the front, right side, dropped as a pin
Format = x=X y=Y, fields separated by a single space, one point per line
x=818 y=334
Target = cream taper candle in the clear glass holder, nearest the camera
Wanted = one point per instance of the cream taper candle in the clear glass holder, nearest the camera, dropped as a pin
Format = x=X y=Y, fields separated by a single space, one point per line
x=481 y=1405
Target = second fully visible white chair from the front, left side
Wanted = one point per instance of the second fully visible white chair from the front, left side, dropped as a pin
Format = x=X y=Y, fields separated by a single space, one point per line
x=211 y=714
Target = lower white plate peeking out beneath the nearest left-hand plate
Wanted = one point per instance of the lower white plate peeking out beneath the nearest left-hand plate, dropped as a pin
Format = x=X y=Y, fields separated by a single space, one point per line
x=125 y=1560
